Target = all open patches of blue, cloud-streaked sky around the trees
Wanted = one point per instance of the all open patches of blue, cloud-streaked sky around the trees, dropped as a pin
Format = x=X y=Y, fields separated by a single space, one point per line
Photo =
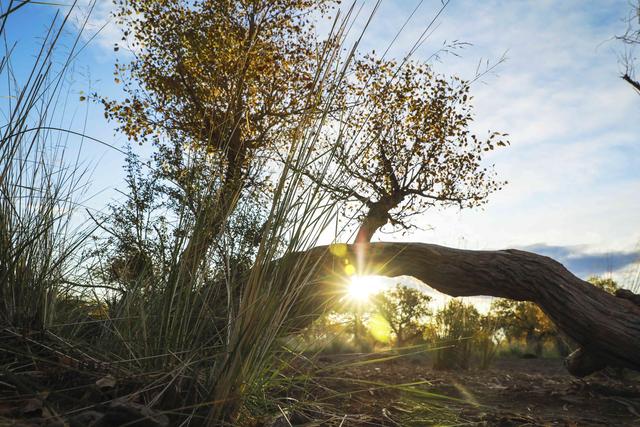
x=573 y=166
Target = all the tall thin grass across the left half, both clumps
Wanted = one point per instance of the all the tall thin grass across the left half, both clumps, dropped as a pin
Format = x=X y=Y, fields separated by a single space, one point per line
x=210 y=350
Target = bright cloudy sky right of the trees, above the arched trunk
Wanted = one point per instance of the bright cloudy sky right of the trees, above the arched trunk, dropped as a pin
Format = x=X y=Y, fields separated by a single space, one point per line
x=574 y=163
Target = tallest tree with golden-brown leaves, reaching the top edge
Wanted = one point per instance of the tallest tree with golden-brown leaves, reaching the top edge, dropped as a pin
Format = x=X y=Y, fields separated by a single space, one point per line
x=213 y=84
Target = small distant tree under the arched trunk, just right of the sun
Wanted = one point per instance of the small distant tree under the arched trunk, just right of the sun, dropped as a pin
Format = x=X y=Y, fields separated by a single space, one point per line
x=405 y=310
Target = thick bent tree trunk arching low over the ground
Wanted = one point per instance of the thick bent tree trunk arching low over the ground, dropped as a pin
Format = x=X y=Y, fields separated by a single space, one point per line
x=606 y=327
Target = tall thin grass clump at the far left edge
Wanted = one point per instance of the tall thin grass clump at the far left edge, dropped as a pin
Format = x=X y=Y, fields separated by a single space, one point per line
x=39 y=186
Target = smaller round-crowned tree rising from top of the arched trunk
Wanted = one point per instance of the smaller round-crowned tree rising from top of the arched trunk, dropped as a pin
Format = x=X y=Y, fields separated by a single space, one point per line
x=405 y=145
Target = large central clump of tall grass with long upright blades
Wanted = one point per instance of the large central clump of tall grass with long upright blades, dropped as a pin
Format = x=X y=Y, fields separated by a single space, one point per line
x=214 y=343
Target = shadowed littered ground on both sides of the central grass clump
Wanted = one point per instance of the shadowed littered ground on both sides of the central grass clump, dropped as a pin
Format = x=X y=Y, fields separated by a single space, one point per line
x=44 y=382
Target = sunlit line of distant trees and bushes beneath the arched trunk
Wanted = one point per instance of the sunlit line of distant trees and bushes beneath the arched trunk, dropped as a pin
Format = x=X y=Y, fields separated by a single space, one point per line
x=460 y=335
